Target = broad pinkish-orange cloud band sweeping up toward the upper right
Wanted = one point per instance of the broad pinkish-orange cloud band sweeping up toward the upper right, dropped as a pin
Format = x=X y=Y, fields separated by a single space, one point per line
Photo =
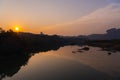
x=96 y=22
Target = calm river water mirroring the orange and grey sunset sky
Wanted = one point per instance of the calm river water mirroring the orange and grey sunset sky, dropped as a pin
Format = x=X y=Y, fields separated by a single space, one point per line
x=67 y=63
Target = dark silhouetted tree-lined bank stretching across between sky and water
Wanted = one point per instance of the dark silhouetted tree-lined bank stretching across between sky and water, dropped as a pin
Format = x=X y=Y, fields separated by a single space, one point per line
x=12 y=43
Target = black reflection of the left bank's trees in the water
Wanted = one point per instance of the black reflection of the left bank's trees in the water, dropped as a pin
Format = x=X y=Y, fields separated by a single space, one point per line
x=11 y=65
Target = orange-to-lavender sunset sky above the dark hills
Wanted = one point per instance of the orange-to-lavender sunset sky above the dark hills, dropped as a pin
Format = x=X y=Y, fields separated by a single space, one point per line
x=63 y=17
